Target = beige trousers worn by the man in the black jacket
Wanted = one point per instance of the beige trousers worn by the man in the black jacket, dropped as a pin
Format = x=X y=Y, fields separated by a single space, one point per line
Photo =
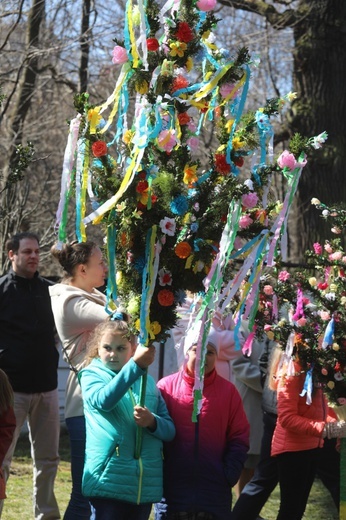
x=41 y=411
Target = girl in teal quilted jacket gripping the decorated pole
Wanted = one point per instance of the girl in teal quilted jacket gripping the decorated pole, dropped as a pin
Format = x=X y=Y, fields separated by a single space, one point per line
x=117 y=484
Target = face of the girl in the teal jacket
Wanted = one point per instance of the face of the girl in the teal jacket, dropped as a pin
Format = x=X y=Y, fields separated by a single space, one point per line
x=115 y=350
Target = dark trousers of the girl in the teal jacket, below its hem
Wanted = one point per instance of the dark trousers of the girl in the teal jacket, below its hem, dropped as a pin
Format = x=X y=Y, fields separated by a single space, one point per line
x=108 y=509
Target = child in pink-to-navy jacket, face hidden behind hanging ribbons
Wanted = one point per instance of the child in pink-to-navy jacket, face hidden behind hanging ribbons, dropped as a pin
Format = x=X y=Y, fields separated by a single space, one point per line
x=205 y=459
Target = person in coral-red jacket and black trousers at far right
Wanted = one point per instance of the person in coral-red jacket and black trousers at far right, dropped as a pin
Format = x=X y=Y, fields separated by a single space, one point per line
x=298 y=436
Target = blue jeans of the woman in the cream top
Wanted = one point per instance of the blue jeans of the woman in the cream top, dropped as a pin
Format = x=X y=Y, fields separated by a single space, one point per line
x=78 y=507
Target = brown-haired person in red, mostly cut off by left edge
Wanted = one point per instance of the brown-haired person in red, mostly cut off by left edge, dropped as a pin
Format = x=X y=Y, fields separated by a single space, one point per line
x=7 y=425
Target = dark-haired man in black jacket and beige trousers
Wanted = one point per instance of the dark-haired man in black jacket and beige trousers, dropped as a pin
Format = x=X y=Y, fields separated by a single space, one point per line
x=29 y=357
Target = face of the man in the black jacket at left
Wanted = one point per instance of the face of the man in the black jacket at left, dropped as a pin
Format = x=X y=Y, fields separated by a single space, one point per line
x=25 y=261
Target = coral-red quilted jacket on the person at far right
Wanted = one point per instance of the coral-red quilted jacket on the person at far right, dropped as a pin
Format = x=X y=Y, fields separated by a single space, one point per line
x=299 y=426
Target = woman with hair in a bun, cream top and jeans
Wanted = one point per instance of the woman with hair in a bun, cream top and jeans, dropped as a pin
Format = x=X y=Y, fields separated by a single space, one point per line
x=78 y=308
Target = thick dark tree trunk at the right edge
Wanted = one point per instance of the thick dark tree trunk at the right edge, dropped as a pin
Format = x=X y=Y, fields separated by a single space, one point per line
x=319 y=79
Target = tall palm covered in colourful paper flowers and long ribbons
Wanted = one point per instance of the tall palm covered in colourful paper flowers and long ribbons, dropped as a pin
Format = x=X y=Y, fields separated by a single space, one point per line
x=177 y=214
